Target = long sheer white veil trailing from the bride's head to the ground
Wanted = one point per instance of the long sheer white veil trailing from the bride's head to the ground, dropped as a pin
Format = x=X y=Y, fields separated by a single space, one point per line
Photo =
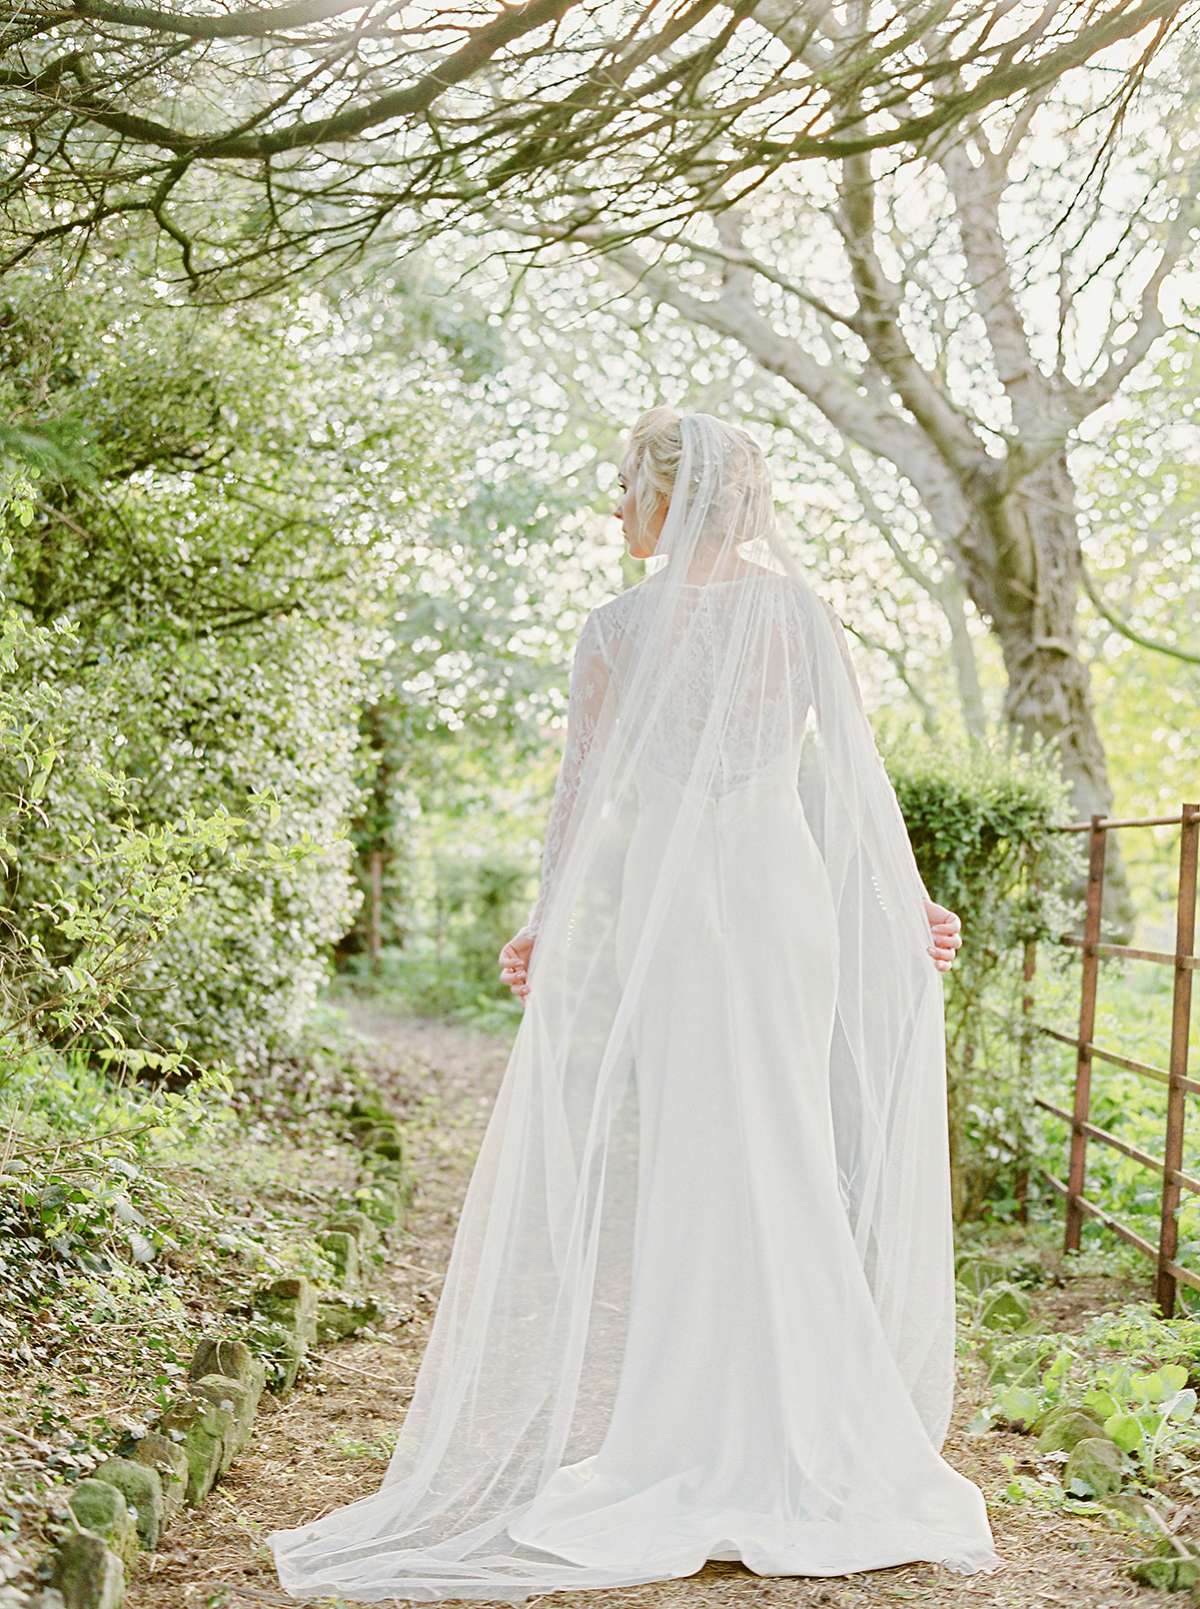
x=715 y=680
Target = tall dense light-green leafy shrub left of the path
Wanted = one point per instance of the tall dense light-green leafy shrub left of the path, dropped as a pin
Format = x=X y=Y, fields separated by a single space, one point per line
x=197 y=575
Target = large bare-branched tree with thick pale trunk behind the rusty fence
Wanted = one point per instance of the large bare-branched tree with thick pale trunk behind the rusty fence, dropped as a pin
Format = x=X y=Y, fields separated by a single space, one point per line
x=963 y=323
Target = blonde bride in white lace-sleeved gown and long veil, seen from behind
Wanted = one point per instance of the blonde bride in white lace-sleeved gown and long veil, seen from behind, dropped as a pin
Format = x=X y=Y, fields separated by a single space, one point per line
x=702 y=1301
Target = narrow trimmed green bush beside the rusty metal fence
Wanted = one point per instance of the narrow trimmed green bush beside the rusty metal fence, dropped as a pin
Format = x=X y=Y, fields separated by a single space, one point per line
x=980 y=826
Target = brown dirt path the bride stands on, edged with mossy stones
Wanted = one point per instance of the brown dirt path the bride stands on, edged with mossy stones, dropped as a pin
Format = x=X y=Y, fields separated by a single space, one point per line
x=329 y=1444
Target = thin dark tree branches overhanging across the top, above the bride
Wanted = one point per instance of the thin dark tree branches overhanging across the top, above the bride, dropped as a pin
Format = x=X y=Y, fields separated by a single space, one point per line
x=337 y=123
